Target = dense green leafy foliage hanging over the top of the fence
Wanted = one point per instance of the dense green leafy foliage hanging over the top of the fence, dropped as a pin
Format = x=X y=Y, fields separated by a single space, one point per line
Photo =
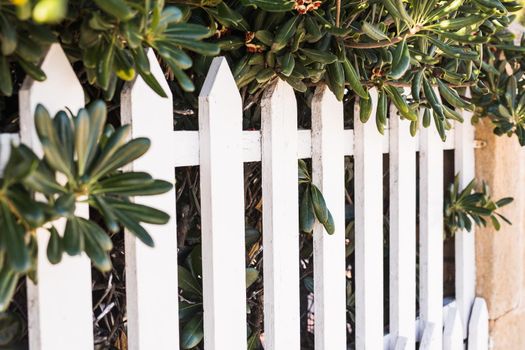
x=422 y=56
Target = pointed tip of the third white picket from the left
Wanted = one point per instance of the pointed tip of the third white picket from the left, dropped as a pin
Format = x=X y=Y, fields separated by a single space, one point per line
x=219 y=82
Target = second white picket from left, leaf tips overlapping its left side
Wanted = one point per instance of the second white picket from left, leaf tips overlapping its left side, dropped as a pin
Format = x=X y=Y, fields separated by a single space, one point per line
x=152 y=324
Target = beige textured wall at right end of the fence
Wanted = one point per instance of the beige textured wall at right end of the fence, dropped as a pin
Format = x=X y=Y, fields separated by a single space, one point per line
x=500 y=255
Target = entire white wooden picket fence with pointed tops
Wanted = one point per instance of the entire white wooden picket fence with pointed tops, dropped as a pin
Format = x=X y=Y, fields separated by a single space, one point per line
x=60 y=306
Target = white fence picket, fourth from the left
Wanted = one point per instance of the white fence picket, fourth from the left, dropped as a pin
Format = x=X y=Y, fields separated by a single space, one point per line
x=280 y=218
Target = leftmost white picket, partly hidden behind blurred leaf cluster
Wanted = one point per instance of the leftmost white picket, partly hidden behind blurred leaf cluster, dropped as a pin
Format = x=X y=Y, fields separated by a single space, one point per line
x=62 y=297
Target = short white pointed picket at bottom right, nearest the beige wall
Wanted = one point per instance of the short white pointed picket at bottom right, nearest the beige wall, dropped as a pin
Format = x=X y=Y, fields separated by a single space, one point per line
x=478 y=328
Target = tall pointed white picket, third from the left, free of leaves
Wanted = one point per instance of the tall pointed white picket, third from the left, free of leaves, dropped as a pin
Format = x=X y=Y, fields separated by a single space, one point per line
x=222 y=182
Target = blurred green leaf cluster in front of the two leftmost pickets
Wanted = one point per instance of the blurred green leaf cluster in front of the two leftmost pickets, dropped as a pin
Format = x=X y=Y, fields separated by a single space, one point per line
x=88 y=154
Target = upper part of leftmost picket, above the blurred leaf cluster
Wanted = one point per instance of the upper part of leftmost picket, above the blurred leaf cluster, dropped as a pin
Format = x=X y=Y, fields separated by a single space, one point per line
x=61 y=89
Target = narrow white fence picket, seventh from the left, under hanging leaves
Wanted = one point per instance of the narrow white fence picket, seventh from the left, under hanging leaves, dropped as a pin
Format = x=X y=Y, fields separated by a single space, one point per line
x=402 y=232
